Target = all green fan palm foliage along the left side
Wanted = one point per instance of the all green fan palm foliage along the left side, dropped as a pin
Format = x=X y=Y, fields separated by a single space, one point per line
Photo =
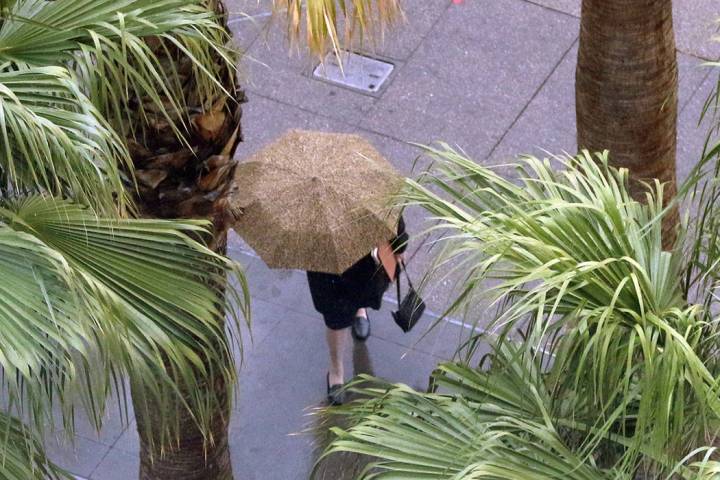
x=89 y=295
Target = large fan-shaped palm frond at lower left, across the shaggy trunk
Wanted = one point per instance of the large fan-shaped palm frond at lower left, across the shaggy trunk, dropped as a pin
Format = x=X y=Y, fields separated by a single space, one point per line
x=86 y=299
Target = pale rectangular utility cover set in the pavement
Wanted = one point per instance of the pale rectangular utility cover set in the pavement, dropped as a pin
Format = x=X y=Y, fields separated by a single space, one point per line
x=358 y=71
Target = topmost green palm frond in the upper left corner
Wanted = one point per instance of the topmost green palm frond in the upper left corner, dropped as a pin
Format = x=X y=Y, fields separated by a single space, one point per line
x=105 y=42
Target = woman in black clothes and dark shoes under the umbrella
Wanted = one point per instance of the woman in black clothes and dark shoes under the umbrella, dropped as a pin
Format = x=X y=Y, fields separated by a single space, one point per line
x=343 y=301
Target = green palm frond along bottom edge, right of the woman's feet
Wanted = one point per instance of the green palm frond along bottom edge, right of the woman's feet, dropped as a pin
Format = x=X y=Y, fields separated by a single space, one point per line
x=493 y=426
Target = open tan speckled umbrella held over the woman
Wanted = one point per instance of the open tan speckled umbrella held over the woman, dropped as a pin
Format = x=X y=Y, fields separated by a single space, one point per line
x=315 y=201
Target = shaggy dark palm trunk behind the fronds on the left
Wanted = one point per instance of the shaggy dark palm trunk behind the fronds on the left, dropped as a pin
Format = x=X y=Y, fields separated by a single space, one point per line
x=189 y=179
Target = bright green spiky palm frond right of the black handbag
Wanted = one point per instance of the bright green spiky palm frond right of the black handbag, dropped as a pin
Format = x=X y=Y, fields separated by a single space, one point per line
x=578 y=267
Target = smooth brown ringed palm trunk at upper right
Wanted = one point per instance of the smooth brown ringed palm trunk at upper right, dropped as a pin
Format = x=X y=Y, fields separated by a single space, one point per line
x=627 y=91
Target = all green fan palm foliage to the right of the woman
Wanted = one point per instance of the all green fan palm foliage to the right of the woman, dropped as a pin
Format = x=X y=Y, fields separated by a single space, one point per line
x=604 y=363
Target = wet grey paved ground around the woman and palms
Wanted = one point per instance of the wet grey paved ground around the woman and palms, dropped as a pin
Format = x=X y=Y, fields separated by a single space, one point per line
x=495 y=77
